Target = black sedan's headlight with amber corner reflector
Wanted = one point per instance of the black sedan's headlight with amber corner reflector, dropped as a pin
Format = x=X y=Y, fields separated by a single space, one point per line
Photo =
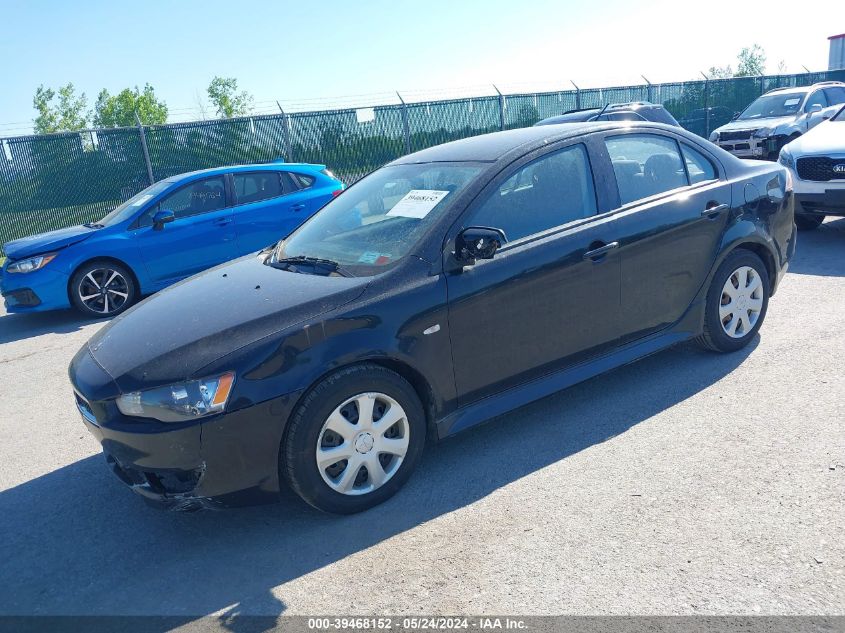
x=179 y=402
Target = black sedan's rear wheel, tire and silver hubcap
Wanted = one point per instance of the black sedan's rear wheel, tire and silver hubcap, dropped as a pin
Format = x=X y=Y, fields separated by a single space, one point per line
x=728 y=329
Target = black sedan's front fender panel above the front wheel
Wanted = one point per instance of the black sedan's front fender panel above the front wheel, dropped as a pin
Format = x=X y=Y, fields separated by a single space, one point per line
x=380 y=326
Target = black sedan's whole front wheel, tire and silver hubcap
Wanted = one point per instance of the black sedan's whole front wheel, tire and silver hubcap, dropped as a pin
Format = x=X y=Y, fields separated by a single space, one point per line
x=330 y=424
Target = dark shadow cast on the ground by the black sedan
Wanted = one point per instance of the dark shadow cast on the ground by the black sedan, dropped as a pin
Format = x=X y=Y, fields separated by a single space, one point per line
x=75 y=541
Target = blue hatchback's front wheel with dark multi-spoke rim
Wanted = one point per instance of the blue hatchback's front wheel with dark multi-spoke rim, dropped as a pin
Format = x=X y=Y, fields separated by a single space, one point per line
x=102 y=289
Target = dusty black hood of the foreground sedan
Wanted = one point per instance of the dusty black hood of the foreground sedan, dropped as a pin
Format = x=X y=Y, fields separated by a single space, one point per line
x=175 y=333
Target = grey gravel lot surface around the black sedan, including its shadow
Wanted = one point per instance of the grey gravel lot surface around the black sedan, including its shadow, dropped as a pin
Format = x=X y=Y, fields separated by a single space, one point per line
x=685 y=483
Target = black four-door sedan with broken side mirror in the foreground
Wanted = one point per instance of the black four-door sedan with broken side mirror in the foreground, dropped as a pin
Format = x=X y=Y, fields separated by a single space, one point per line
x=450 y=286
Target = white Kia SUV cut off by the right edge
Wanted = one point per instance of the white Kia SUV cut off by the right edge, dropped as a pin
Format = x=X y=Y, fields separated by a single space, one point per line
x=817 y=163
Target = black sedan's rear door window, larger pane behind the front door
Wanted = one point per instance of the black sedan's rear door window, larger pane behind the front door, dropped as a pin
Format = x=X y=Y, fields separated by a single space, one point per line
x=645 y=165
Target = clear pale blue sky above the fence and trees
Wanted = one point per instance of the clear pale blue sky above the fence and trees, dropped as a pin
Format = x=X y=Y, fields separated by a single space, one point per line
x=314 y=55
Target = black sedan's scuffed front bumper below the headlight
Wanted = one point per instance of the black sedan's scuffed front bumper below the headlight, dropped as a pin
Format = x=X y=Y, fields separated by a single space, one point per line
x=224 y=460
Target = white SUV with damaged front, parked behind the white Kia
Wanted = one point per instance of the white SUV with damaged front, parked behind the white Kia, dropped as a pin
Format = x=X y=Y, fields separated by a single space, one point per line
x=777 y=118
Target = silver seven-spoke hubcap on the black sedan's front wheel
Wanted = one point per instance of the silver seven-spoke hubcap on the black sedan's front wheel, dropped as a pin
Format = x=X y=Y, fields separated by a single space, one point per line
x=362 y=443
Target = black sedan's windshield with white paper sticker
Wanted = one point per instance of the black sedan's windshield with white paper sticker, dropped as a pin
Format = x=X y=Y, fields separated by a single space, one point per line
x=374 y=224
